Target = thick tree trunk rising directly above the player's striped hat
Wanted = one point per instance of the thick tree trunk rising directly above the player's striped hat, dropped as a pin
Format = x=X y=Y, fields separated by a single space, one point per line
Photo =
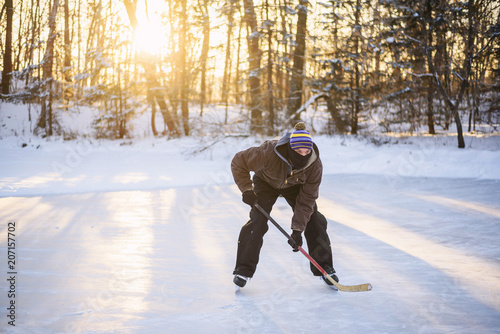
x=296 y=85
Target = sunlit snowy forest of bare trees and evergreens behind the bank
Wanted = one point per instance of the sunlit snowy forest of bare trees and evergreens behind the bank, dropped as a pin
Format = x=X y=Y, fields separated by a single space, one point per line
x=406 y=65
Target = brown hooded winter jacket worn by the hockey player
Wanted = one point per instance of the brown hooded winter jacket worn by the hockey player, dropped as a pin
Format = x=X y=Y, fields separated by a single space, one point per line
x=270 y=165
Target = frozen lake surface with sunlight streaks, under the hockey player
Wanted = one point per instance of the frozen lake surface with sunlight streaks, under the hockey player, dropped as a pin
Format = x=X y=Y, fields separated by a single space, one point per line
x=161 y=260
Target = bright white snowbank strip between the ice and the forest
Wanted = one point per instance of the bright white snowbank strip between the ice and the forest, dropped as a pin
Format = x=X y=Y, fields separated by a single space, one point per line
x=32 y=166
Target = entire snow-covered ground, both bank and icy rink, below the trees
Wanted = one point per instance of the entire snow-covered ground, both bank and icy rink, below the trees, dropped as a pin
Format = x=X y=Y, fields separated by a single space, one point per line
x=140 y=236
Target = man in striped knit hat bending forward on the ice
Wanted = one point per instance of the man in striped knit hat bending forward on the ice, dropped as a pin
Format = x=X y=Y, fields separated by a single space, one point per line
x=289 y=167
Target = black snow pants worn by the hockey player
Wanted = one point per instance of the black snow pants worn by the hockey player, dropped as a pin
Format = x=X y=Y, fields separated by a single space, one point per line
x=251 y=235
